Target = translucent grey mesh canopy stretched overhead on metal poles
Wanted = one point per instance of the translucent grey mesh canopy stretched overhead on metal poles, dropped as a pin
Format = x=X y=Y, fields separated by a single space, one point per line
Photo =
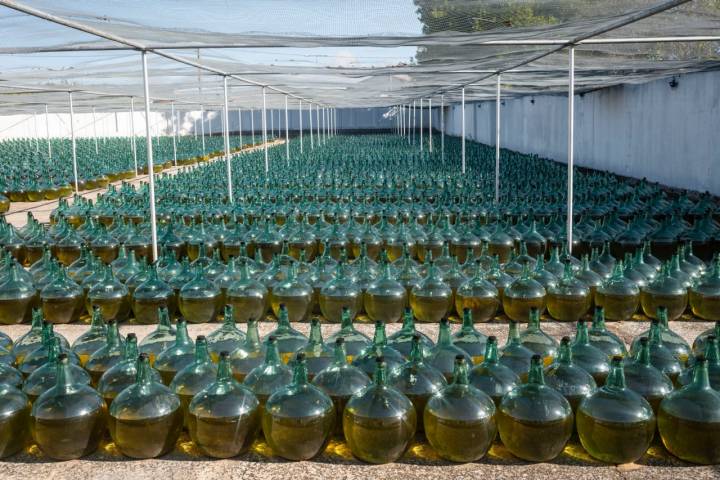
x=360 y=53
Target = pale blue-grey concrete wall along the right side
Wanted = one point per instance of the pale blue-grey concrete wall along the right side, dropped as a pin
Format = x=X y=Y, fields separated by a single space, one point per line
x=669 y=135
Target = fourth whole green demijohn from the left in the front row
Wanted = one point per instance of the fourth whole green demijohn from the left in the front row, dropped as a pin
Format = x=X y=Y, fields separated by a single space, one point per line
x=298 y=419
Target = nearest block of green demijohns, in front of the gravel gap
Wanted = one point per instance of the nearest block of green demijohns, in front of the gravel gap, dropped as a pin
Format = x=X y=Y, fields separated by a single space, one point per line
x=229 y=388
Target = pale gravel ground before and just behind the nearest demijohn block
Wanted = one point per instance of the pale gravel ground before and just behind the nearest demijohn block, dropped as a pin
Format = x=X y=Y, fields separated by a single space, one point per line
x=337 y=462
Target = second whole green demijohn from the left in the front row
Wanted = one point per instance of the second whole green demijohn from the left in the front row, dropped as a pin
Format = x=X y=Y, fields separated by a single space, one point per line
x=146 y=418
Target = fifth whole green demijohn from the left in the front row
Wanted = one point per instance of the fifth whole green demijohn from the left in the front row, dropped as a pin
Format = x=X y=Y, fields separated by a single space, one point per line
x=379 y=422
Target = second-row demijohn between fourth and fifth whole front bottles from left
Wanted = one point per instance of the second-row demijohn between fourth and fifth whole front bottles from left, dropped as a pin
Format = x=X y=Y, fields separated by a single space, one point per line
x=340 y=380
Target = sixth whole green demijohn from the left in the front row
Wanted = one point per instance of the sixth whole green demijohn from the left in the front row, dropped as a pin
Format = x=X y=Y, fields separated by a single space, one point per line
x=460 y=419
